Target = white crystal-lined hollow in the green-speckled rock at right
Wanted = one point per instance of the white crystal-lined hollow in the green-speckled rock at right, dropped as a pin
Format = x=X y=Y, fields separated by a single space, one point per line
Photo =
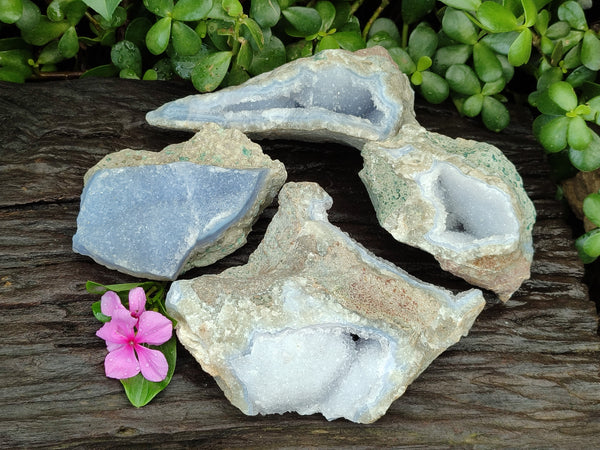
x=469 y=212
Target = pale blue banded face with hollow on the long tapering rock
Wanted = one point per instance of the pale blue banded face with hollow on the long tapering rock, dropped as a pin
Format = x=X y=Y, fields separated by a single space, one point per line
x=333 y=97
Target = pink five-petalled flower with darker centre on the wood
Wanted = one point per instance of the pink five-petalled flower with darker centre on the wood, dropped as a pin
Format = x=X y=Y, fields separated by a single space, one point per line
x=126 y=355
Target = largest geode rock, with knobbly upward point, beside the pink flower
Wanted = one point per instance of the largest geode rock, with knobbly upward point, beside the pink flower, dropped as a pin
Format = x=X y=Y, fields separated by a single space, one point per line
x=315 y=322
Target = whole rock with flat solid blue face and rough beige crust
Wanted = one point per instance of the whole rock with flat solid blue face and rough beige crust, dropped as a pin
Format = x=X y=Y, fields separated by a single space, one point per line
x=156 y=215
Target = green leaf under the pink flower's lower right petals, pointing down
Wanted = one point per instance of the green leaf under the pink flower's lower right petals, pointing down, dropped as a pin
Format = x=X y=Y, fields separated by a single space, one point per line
x=140 y=391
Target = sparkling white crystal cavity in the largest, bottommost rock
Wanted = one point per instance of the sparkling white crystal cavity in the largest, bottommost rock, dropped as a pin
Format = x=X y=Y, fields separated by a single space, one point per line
x=337 y=370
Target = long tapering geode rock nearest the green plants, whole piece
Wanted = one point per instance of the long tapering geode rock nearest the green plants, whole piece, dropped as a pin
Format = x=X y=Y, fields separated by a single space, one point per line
x=335 y=95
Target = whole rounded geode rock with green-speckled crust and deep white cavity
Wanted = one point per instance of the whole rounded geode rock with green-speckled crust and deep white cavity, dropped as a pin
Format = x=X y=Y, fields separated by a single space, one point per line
x=462 y=201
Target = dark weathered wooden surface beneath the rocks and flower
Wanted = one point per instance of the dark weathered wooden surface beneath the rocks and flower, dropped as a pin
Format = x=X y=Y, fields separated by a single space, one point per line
x=526 y=375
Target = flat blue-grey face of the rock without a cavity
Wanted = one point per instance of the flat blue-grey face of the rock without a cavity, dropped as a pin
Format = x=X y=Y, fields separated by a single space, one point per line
x=146 y=220
